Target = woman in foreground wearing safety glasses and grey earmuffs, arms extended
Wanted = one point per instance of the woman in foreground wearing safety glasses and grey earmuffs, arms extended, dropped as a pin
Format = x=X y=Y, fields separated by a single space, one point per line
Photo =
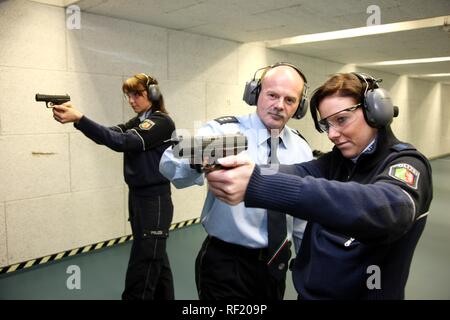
x=366 y=201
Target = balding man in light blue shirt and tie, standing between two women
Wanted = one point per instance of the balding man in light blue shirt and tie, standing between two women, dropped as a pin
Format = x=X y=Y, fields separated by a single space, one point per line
x=234 y=261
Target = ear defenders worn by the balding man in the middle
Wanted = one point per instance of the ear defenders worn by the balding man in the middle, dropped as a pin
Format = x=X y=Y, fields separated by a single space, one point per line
x=253 y=89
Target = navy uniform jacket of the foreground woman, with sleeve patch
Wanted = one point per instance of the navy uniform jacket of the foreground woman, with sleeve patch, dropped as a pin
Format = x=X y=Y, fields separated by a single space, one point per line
x=364 y=218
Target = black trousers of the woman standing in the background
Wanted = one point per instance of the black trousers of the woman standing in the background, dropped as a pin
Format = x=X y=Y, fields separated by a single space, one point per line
x=149 y=276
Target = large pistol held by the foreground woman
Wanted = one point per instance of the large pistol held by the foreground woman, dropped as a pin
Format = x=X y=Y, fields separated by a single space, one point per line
x=203 y=151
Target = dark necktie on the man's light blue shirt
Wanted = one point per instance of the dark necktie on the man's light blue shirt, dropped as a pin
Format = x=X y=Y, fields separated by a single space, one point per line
x=278 y=248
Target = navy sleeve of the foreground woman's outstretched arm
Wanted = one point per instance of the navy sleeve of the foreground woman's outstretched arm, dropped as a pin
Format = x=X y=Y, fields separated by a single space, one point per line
x=382 y=211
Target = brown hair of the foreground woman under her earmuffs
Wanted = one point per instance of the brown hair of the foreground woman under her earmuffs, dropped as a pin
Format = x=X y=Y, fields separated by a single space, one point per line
x=341 y=85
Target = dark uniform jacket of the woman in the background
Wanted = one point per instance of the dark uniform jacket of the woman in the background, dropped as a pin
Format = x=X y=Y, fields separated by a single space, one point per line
x=142 y=143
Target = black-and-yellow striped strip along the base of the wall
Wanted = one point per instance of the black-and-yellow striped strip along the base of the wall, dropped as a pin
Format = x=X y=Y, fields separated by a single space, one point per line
x=87 y=248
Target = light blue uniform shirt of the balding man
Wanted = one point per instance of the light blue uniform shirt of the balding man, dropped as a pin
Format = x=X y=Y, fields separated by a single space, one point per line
x=238 y=224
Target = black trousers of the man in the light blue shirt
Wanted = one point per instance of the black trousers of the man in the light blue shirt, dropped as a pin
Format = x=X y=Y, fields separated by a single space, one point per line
x=226 y=271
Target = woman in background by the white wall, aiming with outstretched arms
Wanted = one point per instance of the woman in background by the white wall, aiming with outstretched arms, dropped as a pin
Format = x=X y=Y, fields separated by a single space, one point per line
x=142 y=140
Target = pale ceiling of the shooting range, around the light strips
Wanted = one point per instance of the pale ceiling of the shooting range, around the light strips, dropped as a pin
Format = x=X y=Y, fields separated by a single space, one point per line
x=262 y=20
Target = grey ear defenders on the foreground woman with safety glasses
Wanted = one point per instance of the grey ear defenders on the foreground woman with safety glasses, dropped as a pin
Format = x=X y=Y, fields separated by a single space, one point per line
x=377 y=105
